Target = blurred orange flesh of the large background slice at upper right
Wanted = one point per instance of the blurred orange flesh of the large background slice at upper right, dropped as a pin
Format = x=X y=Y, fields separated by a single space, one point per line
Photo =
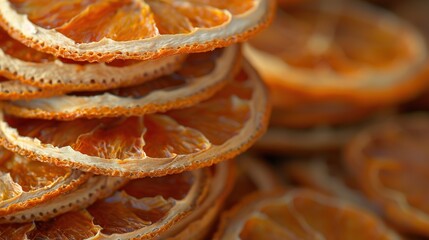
x=291 y=35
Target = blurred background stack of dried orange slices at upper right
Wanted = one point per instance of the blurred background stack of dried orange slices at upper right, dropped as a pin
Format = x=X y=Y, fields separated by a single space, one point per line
x=331 y=64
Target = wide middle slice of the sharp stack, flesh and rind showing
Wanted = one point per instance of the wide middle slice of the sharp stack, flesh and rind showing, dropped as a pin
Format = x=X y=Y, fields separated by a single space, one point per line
x=150 y=145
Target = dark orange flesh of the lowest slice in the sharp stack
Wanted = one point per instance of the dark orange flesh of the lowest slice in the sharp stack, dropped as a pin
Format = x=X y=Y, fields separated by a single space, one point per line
x=138 y=204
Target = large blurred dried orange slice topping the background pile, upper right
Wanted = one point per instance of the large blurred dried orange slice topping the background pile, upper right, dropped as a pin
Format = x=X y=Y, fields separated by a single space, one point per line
x=344 y=51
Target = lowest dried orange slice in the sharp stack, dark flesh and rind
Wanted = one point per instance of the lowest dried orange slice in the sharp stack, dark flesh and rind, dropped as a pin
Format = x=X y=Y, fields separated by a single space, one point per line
x=142 y=209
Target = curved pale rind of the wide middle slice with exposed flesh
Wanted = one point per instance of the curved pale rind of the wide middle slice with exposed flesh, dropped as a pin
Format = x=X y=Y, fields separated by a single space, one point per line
x=162 y=166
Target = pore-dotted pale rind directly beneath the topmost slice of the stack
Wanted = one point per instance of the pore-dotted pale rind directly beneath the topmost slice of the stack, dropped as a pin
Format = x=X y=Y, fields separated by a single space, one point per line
x=88 y=77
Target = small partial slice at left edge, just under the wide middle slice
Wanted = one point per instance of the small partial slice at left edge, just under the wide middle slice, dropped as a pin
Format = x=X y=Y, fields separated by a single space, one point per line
x=25 y=183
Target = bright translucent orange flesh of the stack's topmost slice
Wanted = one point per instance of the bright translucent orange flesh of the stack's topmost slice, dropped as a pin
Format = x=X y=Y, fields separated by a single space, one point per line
x=92 y=20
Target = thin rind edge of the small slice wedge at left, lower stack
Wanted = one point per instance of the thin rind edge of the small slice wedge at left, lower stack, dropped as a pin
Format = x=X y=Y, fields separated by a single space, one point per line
x=72 y=185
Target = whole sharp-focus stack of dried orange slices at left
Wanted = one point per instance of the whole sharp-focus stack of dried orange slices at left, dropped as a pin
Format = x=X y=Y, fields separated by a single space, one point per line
x=114 y=111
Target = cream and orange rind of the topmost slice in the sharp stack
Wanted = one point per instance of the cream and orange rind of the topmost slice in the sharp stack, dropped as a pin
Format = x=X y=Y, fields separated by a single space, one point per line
x=86 y=52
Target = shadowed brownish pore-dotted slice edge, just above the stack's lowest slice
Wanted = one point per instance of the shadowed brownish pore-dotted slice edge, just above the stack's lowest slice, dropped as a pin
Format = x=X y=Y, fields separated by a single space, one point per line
x=97 y=187
